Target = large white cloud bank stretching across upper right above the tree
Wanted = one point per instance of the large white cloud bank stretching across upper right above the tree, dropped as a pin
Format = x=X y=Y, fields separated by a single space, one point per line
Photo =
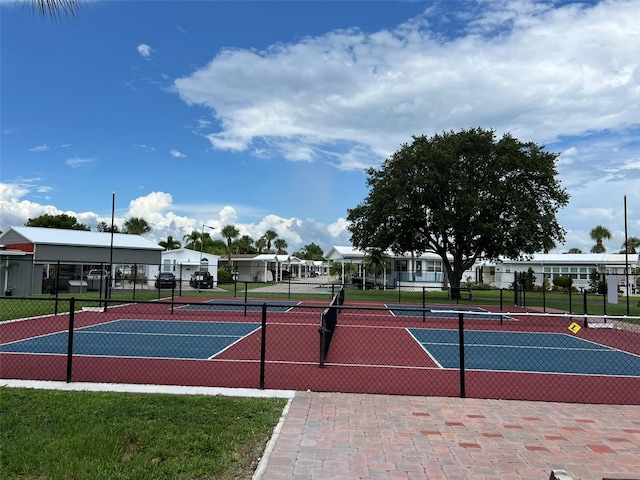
x=548 y=72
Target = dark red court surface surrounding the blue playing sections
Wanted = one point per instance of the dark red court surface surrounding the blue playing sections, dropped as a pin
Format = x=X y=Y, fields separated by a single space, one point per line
x=371 y=352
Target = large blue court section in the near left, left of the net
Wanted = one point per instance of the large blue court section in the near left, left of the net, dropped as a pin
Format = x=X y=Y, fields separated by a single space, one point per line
x=141 y=338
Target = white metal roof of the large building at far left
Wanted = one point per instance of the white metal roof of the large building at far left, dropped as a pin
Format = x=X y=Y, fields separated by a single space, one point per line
x=59 y=236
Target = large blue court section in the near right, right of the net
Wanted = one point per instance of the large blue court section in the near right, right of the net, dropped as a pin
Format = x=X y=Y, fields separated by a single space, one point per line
x=526 y=352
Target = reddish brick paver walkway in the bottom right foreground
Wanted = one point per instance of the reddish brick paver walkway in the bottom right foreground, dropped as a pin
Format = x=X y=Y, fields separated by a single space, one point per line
x=353 y=436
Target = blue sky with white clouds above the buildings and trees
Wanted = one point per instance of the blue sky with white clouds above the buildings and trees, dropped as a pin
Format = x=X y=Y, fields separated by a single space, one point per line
x=265 y=114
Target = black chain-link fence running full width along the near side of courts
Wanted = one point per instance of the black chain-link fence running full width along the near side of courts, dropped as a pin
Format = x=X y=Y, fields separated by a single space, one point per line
x=386 y=348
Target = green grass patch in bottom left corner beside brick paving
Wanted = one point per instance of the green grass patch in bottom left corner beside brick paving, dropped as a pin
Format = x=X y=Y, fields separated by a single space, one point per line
x=87 y=435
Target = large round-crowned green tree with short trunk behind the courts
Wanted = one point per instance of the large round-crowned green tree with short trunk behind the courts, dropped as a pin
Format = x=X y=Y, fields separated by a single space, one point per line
x=462 y=195
